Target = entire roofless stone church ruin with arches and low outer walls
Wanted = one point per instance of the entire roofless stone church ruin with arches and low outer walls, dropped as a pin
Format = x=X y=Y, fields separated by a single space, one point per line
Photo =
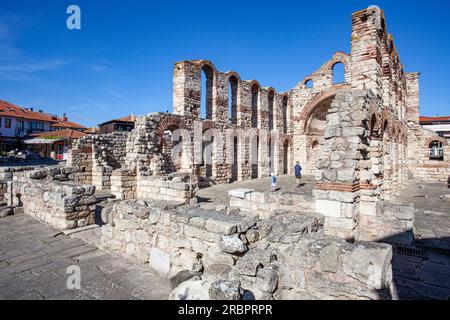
x=360 y=140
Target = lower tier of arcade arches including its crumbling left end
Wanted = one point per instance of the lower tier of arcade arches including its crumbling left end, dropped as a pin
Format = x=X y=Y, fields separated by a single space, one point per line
x=162 y=144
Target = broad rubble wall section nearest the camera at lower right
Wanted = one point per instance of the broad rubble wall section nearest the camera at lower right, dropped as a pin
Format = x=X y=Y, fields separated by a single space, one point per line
x=318 y=267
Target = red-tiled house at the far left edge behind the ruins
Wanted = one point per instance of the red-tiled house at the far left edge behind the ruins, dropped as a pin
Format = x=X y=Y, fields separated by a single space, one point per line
x=17 y=123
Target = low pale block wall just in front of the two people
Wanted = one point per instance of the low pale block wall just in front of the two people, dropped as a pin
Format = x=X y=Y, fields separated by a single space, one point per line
x=265 y=205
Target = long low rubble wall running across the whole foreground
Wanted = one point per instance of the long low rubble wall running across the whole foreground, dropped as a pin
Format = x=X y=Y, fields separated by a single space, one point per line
x=284 y=257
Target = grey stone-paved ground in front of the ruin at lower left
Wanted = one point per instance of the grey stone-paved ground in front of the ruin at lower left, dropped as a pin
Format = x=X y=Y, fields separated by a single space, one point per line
x=34 y=260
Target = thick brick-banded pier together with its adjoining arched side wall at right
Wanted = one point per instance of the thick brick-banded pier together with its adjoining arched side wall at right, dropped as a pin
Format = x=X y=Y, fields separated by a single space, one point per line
x=355 y=166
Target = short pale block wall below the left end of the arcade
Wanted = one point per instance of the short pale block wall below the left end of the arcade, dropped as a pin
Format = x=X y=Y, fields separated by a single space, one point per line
x=175 y=187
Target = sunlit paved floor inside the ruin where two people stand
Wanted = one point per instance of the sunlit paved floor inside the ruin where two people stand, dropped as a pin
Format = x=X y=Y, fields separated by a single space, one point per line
x=219 y=194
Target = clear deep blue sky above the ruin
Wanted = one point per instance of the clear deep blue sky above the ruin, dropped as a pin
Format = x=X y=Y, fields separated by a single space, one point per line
x=122 y=59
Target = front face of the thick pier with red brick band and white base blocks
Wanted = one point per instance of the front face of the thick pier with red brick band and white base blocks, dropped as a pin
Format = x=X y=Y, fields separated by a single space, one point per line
x=342 y=156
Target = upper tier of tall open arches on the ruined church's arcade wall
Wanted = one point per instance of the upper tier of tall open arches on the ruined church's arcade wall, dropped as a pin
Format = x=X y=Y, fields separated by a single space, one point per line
x=271 y=107
